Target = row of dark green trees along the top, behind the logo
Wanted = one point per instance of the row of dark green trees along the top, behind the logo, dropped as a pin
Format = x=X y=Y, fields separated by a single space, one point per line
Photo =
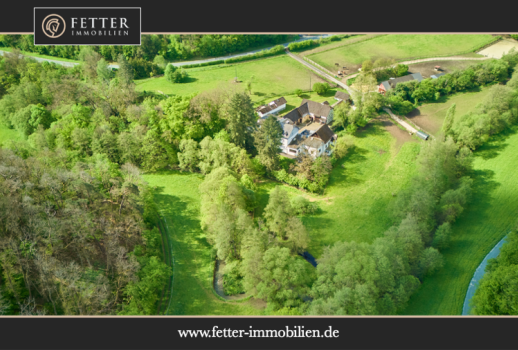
x=170 y=47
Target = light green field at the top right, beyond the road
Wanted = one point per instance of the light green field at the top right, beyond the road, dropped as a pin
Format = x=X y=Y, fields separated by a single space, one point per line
x=399 y=46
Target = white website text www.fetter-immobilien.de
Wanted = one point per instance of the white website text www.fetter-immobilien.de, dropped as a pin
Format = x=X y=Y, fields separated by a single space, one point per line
x=288 y=332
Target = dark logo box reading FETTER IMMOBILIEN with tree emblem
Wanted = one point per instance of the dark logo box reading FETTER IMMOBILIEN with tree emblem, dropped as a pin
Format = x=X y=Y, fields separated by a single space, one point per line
x=87 y=26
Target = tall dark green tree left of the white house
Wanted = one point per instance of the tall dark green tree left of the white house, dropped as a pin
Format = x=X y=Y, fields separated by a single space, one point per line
x=241 y=120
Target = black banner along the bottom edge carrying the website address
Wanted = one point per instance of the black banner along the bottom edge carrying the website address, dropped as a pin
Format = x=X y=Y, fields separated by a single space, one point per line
x=258 y=333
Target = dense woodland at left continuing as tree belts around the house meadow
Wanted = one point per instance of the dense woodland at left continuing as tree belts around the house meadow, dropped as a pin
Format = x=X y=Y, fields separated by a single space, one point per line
x=79 y=225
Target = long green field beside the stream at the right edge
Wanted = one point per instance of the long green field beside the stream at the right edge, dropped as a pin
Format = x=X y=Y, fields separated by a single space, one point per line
x=491 y=214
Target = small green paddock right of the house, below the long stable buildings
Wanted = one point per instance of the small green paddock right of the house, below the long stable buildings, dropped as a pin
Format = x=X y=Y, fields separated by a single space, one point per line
x=430 y=116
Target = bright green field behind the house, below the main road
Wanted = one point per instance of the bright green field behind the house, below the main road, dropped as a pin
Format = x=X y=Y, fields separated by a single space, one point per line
x=271 y=77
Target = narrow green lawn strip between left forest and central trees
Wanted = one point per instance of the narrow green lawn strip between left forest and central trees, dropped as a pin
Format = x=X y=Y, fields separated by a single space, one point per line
x=178 y=200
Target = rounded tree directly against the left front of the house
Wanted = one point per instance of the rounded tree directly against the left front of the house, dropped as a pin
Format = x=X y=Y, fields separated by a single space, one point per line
x=267 y=141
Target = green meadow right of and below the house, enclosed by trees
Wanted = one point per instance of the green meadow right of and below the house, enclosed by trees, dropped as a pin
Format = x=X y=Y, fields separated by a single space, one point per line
x=355 y=205
